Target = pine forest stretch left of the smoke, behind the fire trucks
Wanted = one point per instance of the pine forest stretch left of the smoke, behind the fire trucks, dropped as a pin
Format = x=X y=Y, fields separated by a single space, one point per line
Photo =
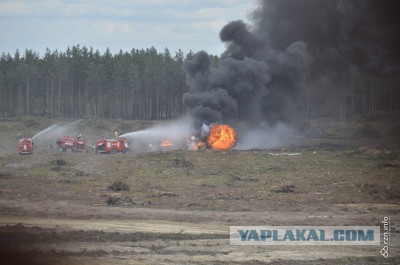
x=81 y=82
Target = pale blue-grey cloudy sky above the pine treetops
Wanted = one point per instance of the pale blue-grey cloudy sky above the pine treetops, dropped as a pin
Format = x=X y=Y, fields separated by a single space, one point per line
x=117 y=24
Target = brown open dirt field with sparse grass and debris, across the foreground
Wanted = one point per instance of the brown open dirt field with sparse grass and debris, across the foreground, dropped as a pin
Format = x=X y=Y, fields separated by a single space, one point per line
x=175 y=207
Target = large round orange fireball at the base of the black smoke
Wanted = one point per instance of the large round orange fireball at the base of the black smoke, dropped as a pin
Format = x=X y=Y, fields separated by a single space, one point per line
x=221 y=137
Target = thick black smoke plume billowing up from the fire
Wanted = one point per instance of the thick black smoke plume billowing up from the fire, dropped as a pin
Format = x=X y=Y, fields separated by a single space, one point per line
x=294 y=60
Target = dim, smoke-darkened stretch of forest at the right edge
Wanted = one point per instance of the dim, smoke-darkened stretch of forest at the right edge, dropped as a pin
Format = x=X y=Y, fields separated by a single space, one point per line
x=360 y=93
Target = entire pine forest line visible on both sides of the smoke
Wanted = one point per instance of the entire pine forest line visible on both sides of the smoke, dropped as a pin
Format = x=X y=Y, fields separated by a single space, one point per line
x=147 y=84
